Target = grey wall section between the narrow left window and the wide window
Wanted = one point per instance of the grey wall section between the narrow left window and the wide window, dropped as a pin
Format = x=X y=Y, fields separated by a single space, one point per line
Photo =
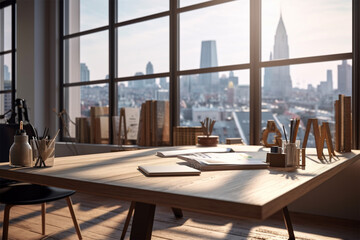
x=37 y=60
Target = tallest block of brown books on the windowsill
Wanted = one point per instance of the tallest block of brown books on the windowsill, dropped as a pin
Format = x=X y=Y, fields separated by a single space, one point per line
x=154 y=124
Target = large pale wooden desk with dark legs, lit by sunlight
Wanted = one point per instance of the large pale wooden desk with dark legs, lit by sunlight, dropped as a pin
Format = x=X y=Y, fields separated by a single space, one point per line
x=255 y=194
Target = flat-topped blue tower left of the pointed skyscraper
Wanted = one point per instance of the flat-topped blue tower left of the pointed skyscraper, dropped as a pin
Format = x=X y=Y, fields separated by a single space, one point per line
x=209 y=81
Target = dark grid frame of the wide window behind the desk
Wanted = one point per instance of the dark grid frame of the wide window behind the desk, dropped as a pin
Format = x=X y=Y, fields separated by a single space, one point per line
x=254 y=66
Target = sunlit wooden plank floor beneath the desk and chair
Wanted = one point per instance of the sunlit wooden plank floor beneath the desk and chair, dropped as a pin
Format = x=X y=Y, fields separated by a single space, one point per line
x=102 y=218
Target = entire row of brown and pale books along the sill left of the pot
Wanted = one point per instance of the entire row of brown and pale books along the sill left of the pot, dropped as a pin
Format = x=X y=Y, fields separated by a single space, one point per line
x=149 y=126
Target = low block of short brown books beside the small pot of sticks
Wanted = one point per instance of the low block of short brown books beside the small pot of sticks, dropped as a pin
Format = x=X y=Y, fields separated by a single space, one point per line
x=186 y=135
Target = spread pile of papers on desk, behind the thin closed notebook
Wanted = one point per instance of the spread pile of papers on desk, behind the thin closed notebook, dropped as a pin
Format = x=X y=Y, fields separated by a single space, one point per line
x=223 y=161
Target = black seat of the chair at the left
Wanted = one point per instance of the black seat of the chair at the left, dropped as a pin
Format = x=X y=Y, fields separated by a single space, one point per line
x=25 y=194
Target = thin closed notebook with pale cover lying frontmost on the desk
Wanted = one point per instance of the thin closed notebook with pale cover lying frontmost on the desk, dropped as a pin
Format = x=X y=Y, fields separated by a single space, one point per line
x=168 y=170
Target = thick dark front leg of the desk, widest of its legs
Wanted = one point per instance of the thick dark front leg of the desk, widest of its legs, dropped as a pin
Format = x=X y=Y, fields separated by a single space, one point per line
x=143 y=220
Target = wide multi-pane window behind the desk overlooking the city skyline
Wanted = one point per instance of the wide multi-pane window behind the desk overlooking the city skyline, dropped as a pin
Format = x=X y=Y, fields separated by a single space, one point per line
x=209 y=59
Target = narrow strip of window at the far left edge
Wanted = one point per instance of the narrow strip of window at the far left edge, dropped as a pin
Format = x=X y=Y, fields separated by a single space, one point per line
x=7 y=57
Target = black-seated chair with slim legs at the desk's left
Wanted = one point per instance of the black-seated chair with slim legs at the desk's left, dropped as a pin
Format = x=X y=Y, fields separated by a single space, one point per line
x=28 y=194
